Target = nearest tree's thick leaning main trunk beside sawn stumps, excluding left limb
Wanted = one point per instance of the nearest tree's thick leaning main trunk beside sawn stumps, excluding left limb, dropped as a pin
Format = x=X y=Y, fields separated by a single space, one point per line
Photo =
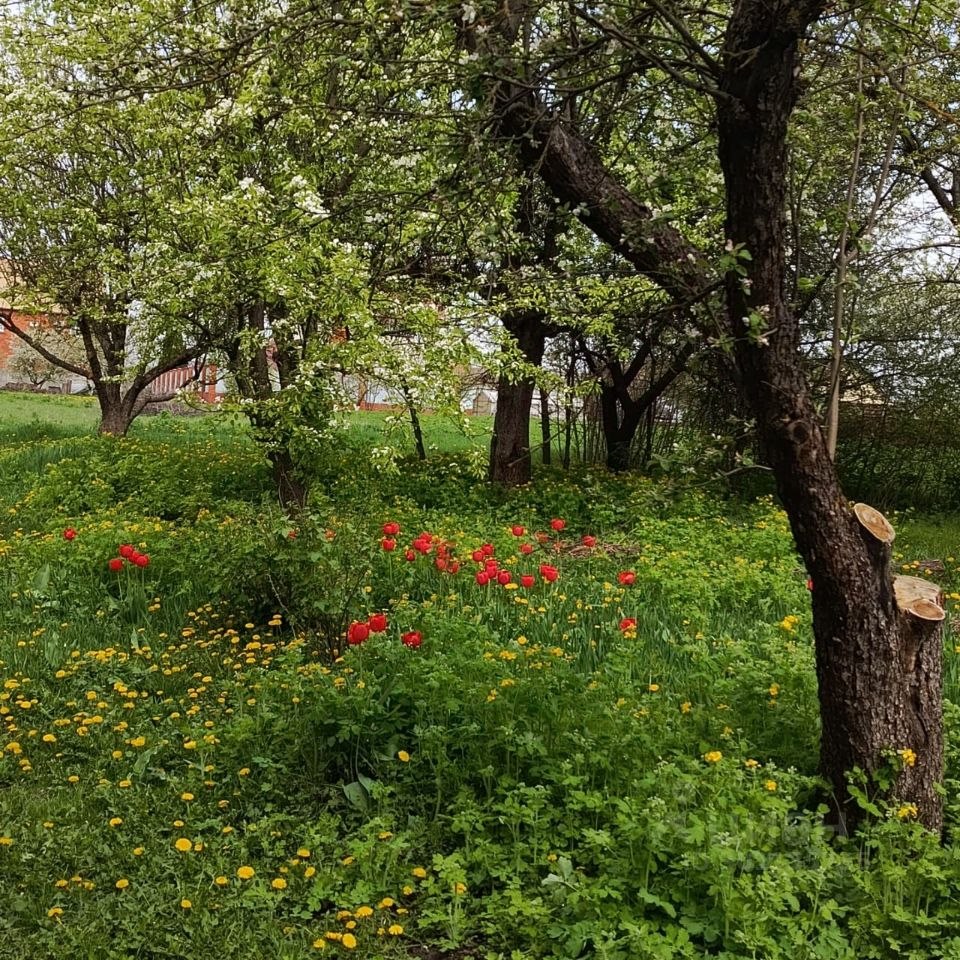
x=867 y=686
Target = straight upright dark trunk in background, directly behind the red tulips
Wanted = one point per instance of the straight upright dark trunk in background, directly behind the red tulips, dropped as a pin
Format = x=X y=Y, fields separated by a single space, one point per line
x=510 y=463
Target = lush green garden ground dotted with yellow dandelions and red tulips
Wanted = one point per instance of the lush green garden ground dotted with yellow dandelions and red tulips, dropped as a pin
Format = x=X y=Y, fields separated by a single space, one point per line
x=426 y=718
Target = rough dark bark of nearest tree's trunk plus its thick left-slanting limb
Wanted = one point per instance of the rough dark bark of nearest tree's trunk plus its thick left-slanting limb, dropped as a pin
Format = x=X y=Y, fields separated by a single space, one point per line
x=876 y=697
